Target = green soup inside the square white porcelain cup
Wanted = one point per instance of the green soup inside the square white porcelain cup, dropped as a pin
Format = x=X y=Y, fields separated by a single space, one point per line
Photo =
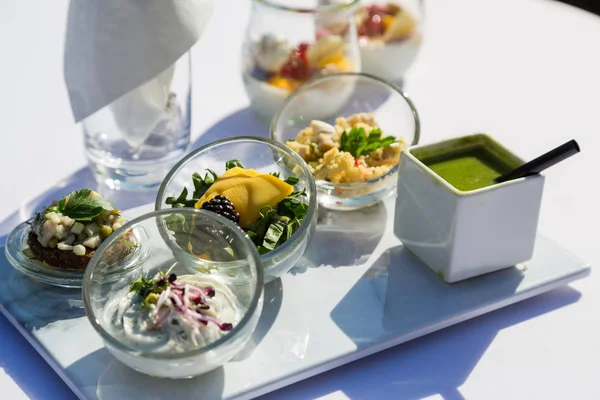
x=468 y=169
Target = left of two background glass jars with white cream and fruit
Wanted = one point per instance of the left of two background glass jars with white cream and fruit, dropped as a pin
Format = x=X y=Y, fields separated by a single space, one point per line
x=288 y=42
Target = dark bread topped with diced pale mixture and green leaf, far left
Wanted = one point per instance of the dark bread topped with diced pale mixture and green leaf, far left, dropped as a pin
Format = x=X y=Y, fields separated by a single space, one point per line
x=66 y=234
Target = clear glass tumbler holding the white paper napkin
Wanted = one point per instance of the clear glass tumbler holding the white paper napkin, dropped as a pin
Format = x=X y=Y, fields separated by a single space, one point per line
x=131 y=143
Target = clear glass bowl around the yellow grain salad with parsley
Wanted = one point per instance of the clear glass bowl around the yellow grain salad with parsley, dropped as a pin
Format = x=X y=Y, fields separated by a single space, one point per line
x=392 y=109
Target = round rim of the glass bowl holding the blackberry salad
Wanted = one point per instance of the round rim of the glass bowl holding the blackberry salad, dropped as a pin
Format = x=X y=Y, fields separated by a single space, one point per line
x=312 y=198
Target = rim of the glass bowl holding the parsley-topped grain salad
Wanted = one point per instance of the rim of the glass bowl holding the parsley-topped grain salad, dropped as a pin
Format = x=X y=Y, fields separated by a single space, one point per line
x=360 y=75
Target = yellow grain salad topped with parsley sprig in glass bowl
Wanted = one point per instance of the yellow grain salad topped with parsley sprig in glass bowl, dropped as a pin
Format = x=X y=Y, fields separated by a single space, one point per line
x=352 y=150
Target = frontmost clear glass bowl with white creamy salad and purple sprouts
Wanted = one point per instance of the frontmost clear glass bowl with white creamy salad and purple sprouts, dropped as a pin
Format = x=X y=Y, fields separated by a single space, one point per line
x=163 y=320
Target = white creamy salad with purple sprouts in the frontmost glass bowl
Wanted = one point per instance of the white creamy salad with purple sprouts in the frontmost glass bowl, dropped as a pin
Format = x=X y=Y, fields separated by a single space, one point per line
x=172 y=314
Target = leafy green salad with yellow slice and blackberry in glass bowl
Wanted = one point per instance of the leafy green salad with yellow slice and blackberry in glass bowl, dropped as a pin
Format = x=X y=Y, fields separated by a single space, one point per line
x=268 y=208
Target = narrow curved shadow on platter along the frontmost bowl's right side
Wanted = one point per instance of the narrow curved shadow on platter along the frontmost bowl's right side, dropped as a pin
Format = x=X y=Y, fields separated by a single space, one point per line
x=271 y=305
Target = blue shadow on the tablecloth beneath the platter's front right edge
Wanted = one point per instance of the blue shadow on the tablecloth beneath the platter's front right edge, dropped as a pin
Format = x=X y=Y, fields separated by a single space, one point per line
x=434 y=365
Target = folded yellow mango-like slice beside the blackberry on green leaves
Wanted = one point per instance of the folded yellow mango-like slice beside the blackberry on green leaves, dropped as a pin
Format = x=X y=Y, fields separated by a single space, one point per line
x=249 y=191
